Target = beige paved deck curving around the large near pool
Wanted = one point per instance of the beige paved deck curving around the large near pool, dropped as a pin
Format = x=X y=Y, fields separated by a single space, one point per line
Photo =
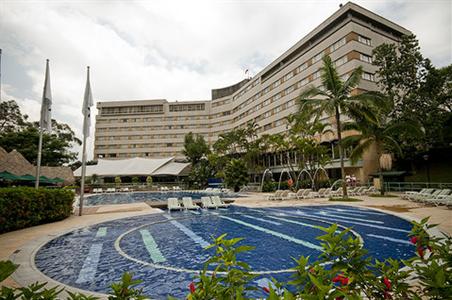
x=21 y=245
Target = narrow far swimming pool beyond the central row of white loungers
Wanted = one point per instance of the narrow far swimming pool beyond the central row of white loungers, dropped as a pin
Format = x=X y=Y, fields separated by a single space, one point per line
x=132 y=197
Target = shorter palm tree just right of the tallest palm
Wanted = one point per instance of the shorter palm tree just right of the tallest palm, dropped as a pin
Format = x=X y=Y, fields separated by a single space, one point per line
x=374 y=127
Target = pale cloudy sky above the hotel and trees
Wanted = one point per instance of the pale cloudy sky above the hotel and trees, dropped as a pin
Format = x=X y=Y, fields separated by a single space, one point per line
x=174 y=50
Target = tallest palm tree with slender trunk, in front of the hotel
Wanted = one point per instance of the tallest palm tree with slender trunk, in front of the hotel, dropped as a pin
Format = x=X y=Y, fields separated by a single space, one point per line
x=335 y=97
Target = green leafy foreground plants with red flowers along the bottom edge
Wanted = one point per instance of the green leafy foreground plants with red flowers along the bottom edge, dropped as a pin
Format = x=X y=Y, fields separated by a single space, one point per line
x=342 y=271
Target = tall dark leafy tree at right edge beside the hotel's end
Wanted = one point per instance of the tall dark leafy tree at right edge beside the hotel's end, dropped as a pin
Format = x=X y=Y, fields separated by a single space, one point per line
x=420 y=92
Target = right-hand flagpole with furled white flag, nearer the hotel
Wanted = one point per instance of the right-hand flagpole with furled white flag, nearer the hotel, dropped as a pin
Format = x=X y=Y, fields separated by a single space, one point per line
x=86 y=106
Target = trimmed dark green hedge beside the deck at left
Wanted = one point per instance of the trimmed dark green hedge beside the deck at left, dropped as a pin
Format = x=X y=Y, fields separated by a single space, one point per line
x=22 y=207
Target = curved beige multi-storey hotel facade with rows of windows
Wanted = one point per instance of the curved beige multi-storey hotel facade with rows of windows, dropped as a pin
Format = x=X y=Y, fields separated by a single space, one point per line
x=156 y=128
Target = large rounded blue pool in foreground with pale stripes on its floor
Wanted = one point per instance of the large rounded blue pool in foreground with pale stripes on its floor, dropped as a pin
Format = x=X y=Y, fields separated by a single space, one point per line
x=165 y=250
